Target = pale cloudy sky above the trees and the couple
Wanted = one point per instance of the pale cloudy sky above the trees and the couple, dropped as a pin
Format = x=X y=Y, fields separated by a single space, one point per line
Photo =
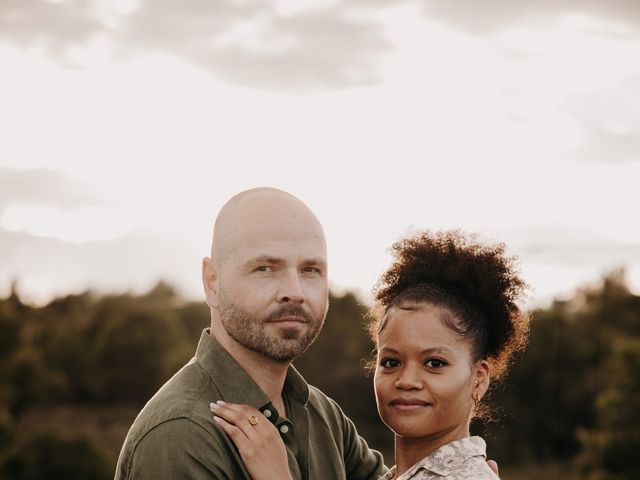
x=126 y=124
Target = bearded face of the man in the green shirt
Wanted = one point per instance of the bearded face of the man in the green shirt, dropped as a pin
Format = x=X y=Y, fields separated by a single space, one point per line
x=272 y=285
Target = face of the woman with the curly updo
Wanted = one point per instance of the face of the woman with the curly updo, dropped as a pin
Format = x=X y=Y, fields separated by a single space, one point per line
x=425 y=377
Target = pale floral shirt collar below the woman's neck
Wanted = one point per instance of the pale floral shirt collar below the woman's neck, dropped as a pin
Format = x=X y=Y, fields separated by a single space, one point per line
x=445 y=459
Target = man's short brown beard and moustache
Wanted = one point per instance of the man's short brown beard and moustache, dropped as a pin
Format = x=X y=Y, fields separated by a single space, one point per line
x=284 y=344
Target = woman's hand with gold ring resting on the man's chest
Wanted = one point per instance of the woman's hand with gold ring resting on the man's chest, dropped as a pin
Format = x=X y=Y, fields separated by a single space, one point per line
x=257 y=439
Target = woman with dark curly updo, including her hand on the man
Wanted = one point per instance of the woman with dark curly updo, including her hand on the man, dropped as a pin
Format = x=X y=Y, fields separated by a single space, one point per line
x=446 y=322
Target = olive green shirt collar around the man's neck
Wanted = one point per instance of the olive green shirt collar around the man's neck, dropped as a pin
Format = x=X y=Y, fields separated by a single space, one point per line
x=235 y=384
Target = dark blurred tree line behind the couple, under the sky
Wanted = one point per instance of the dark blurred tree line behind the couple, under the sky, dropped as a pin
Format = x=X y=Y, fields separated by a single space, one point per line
x=74 y=373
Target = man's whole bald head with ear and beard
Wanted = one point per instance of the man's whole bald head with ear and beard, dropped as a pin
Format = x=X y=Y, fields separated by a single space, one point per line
x=266 y=281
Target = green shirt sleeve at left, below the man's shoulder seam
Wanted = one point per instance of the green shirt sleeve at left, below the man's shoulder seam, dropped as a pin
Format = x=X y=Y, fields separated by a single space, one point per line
x=180 y=448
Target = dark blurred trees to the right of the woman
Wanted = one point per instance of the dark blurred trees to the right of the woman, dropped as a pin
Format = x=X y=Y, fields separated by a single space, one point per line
x=560 y=396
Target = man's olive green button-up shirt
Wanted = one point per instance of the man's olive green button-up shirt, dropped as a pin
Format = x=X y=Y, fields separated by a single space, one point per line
x=175 y=437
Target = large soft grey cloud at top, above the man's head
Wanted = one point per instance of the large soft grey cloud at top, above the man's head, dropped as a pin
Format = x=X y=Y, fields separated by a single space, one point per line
x=251 y=44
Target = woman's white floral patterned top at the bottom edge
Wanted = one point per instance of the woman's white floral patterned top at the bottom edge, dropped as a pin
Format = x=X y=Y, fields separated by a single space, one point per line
x=459 y=460
